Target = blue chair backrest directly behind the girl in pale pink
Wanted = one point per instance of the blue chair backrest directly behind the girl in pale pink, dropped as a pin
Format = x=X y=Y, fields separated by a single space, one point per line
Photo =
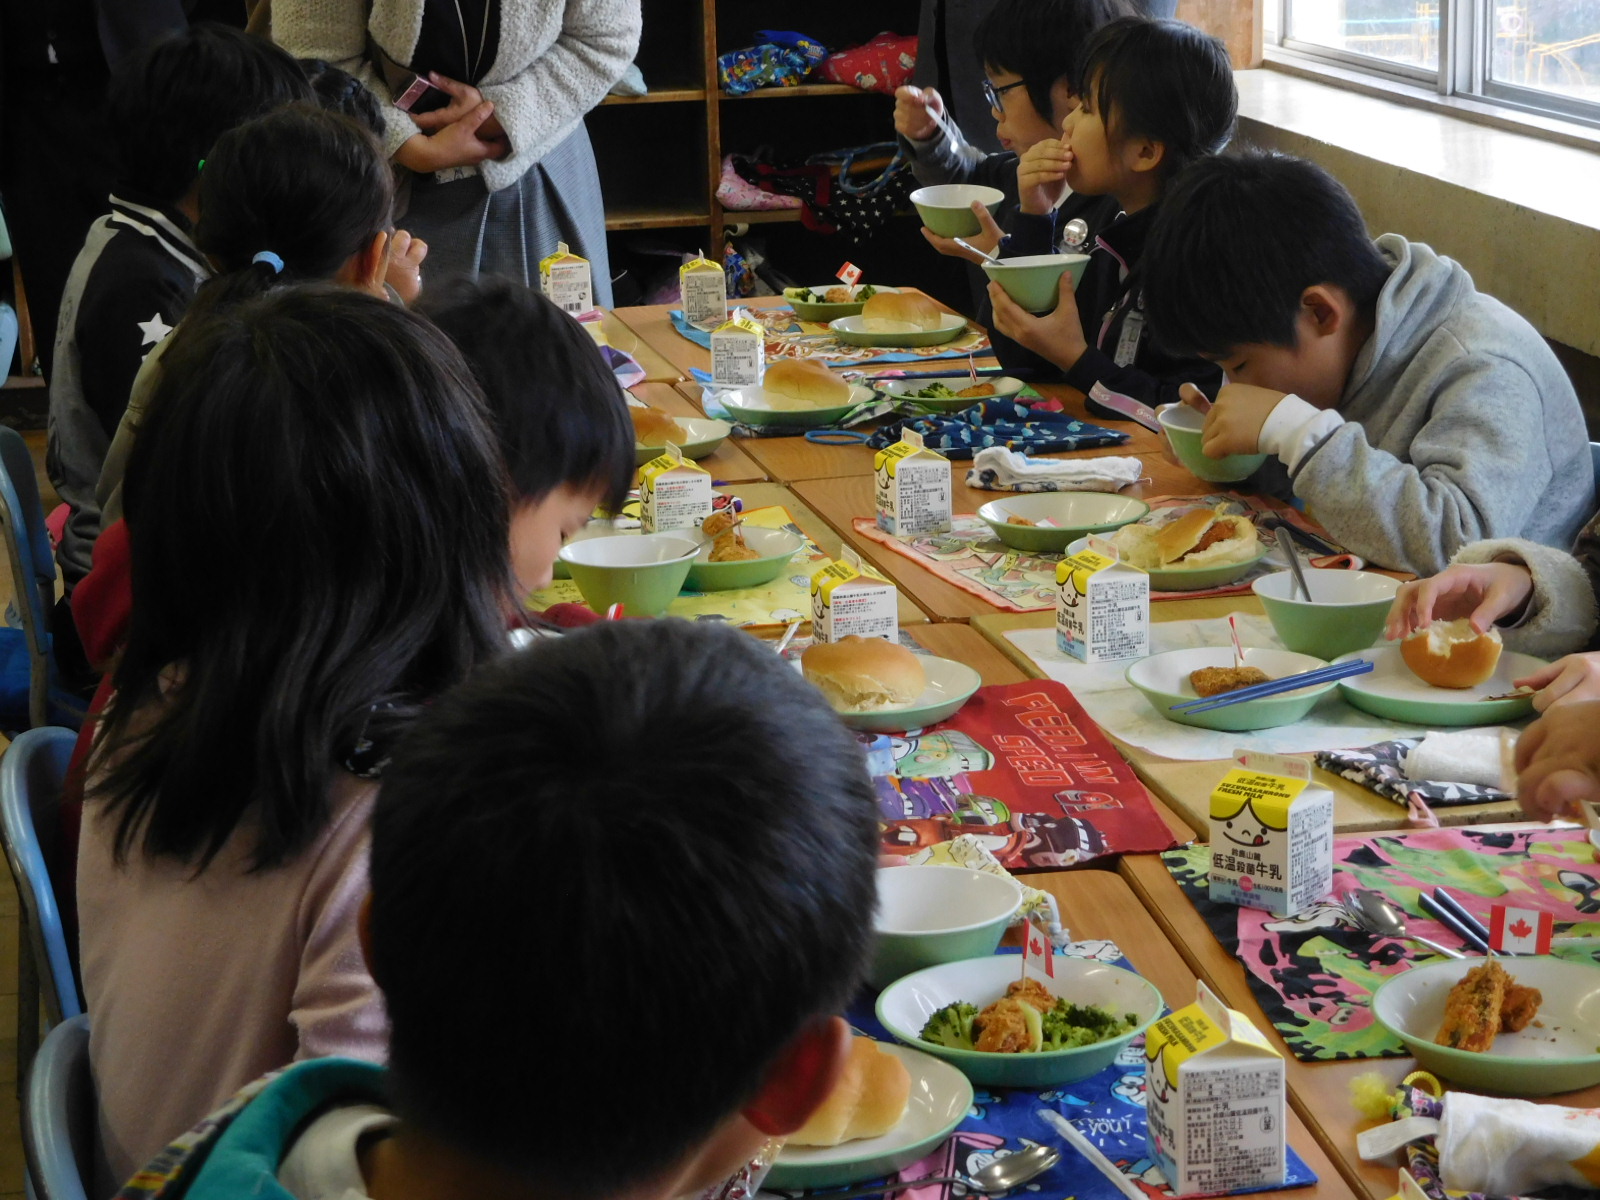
x=31 y=774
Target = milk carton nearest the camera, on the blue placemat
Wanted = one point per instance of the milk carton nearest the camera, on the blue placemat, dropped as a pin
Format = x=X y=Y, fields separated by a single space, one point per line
x=1215 y=1100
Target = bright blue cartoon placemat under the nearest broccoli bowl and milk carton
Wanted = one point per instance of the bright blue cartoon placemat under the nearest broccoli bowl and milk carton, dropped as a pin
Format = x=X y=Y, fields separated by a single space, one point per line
x=1108 y=1110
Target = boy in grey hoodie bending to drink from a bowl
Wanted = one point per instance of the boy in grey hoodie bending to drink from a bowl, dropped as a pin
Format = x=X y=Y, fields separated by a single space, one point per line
x=1410 y=412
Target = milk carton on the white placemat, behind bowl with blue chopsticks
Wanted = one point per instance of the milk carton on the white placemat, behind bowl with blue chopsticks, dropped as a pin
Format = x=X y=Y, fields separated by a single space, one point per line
x=1103 y=607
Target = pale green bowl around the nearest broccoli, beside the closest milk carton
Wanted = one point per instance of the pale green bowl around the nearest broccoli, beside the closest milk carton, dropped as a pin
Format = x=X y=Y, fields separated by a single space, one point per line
x=906 y=1006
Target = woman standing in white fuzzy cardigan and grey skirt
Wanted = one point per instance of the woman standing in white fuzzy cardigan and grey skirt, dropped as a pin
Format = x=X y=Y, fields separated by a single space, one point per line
x=503 y=170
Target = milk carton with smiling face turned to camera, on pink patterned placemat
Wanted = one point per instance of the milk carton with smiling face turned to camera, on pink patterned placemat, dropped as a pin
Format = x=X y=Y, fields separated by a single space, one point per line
x=1271 y=836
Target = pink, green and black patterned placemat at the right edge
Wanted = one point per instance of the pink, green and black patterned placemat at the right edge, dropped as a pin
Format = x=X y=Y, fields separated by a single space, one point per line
x=1314 y=974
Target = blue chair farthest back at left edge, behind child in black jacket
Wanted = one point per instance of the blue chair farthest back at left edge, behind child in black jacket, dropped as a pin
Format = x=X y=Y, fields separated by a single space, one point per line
x=34 y=583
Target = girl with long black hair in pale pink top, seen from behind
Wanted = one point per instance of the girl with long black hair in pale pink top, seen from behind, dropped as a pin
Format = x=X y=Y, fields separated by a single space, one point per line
x=332 y=457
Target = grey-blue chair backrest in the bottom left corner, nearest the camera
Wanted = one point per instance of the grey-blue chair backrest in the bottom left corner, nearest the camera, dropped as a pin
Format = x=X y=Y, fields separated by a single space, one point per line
x=60 y=1116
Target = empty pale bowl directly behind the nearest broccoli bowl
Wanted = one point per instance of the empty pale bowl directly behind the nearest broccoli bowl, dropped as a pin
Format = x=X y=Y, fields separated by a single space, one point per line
x=935 y=914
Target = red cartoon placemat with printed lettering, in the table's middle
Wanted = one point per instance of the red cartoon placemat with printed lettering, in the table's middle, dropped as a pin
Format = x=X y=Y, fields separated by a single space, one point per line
x=1023 y=769
